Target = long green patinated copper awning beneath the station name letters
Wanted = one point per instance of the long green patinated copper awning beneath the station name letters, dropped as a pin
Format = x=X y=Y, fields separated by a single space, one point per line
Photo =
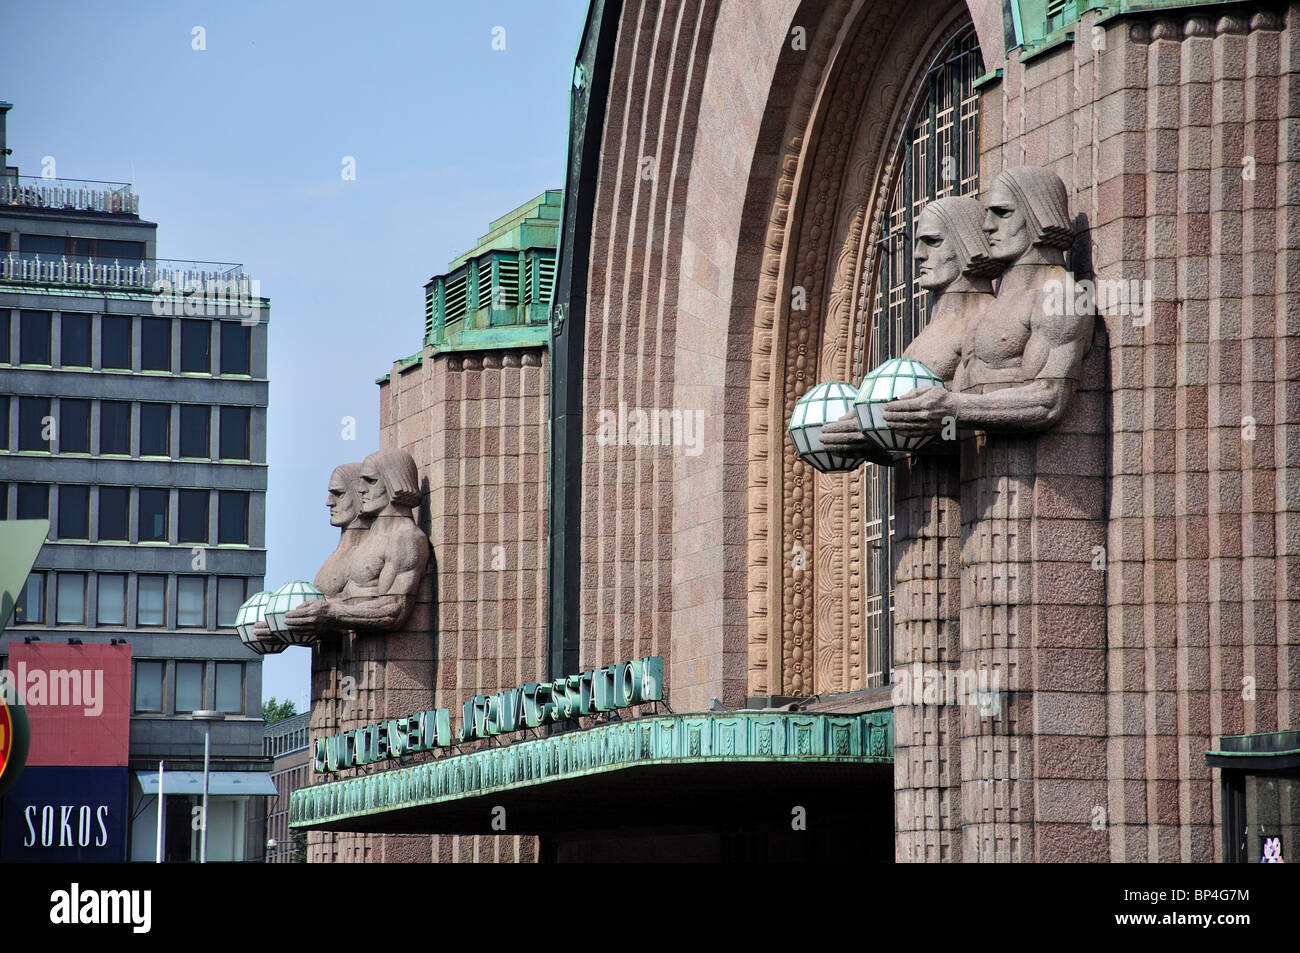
x=657 y=770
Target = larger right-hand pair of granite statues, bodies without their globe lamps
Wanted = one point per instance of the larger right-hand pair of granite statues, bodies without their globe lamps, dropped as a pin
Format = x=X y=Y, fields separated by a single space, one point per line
x=1012 y=361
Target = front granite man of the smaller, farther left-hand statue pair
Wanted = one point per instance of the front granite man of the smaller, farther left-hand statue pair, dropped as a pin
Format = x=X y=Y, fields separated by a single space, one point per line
x=378 y=577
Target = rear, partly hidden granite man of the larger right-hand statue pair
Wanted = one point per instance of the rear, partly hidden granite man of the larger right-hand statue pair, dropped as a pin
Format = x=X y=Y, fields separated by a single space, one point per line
x=955 y=265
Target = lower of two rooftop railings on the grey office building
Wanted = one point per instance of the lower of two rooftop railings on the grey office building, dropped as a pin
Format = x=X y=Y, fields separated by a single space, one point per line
x=136 y=276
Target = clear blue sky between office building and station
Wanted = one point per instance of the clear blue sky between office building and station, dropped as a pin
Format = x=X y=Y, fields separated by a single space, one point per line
x=237 y=154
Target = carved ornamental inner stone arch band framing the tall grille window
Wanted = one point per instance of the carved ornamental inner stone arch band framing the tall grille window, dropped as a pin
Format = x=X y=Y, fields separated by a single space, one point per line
x=853 y=96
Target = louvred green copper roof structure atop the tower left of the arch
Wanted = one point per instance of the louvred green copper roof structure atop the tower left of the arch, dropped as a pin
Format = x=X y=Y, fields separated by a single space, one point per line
x=499 y=294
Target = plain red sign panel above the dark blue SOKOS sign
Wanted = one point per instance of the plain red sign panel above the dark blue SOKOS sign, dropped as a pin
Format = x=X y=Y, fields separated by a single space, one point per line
x=79 y=701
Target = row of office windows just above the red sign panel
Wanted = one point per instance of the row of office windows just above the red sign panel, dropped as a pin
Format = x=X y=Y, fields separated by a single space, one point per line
x=106 y=600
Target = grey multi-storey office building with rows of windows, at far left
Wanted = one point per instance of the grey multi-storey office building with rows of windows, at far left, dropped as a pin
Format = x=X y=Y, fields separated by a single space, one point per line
x=133 y=415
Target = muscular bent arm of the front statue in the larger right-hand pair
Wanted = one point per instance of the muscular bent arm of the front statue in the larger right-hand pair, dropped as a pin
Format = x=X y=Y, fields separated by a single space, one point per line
x=1054 y=356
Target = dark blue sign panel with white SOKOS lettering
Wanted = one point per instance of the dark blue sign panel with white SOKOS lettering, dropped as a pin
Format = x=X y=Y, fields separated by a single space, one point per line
x=66 y=815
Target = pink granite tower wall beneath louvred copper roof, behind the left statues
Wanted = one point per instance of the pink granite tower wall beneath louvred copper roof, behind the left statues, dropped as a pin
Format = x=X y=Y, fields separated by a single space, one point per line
x=476 y=426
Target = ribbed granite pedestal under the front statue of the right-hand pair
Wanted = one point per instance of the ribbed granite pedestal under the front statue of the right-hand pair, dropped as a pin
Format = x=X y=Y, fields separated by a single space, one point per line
x=1033 y=579
